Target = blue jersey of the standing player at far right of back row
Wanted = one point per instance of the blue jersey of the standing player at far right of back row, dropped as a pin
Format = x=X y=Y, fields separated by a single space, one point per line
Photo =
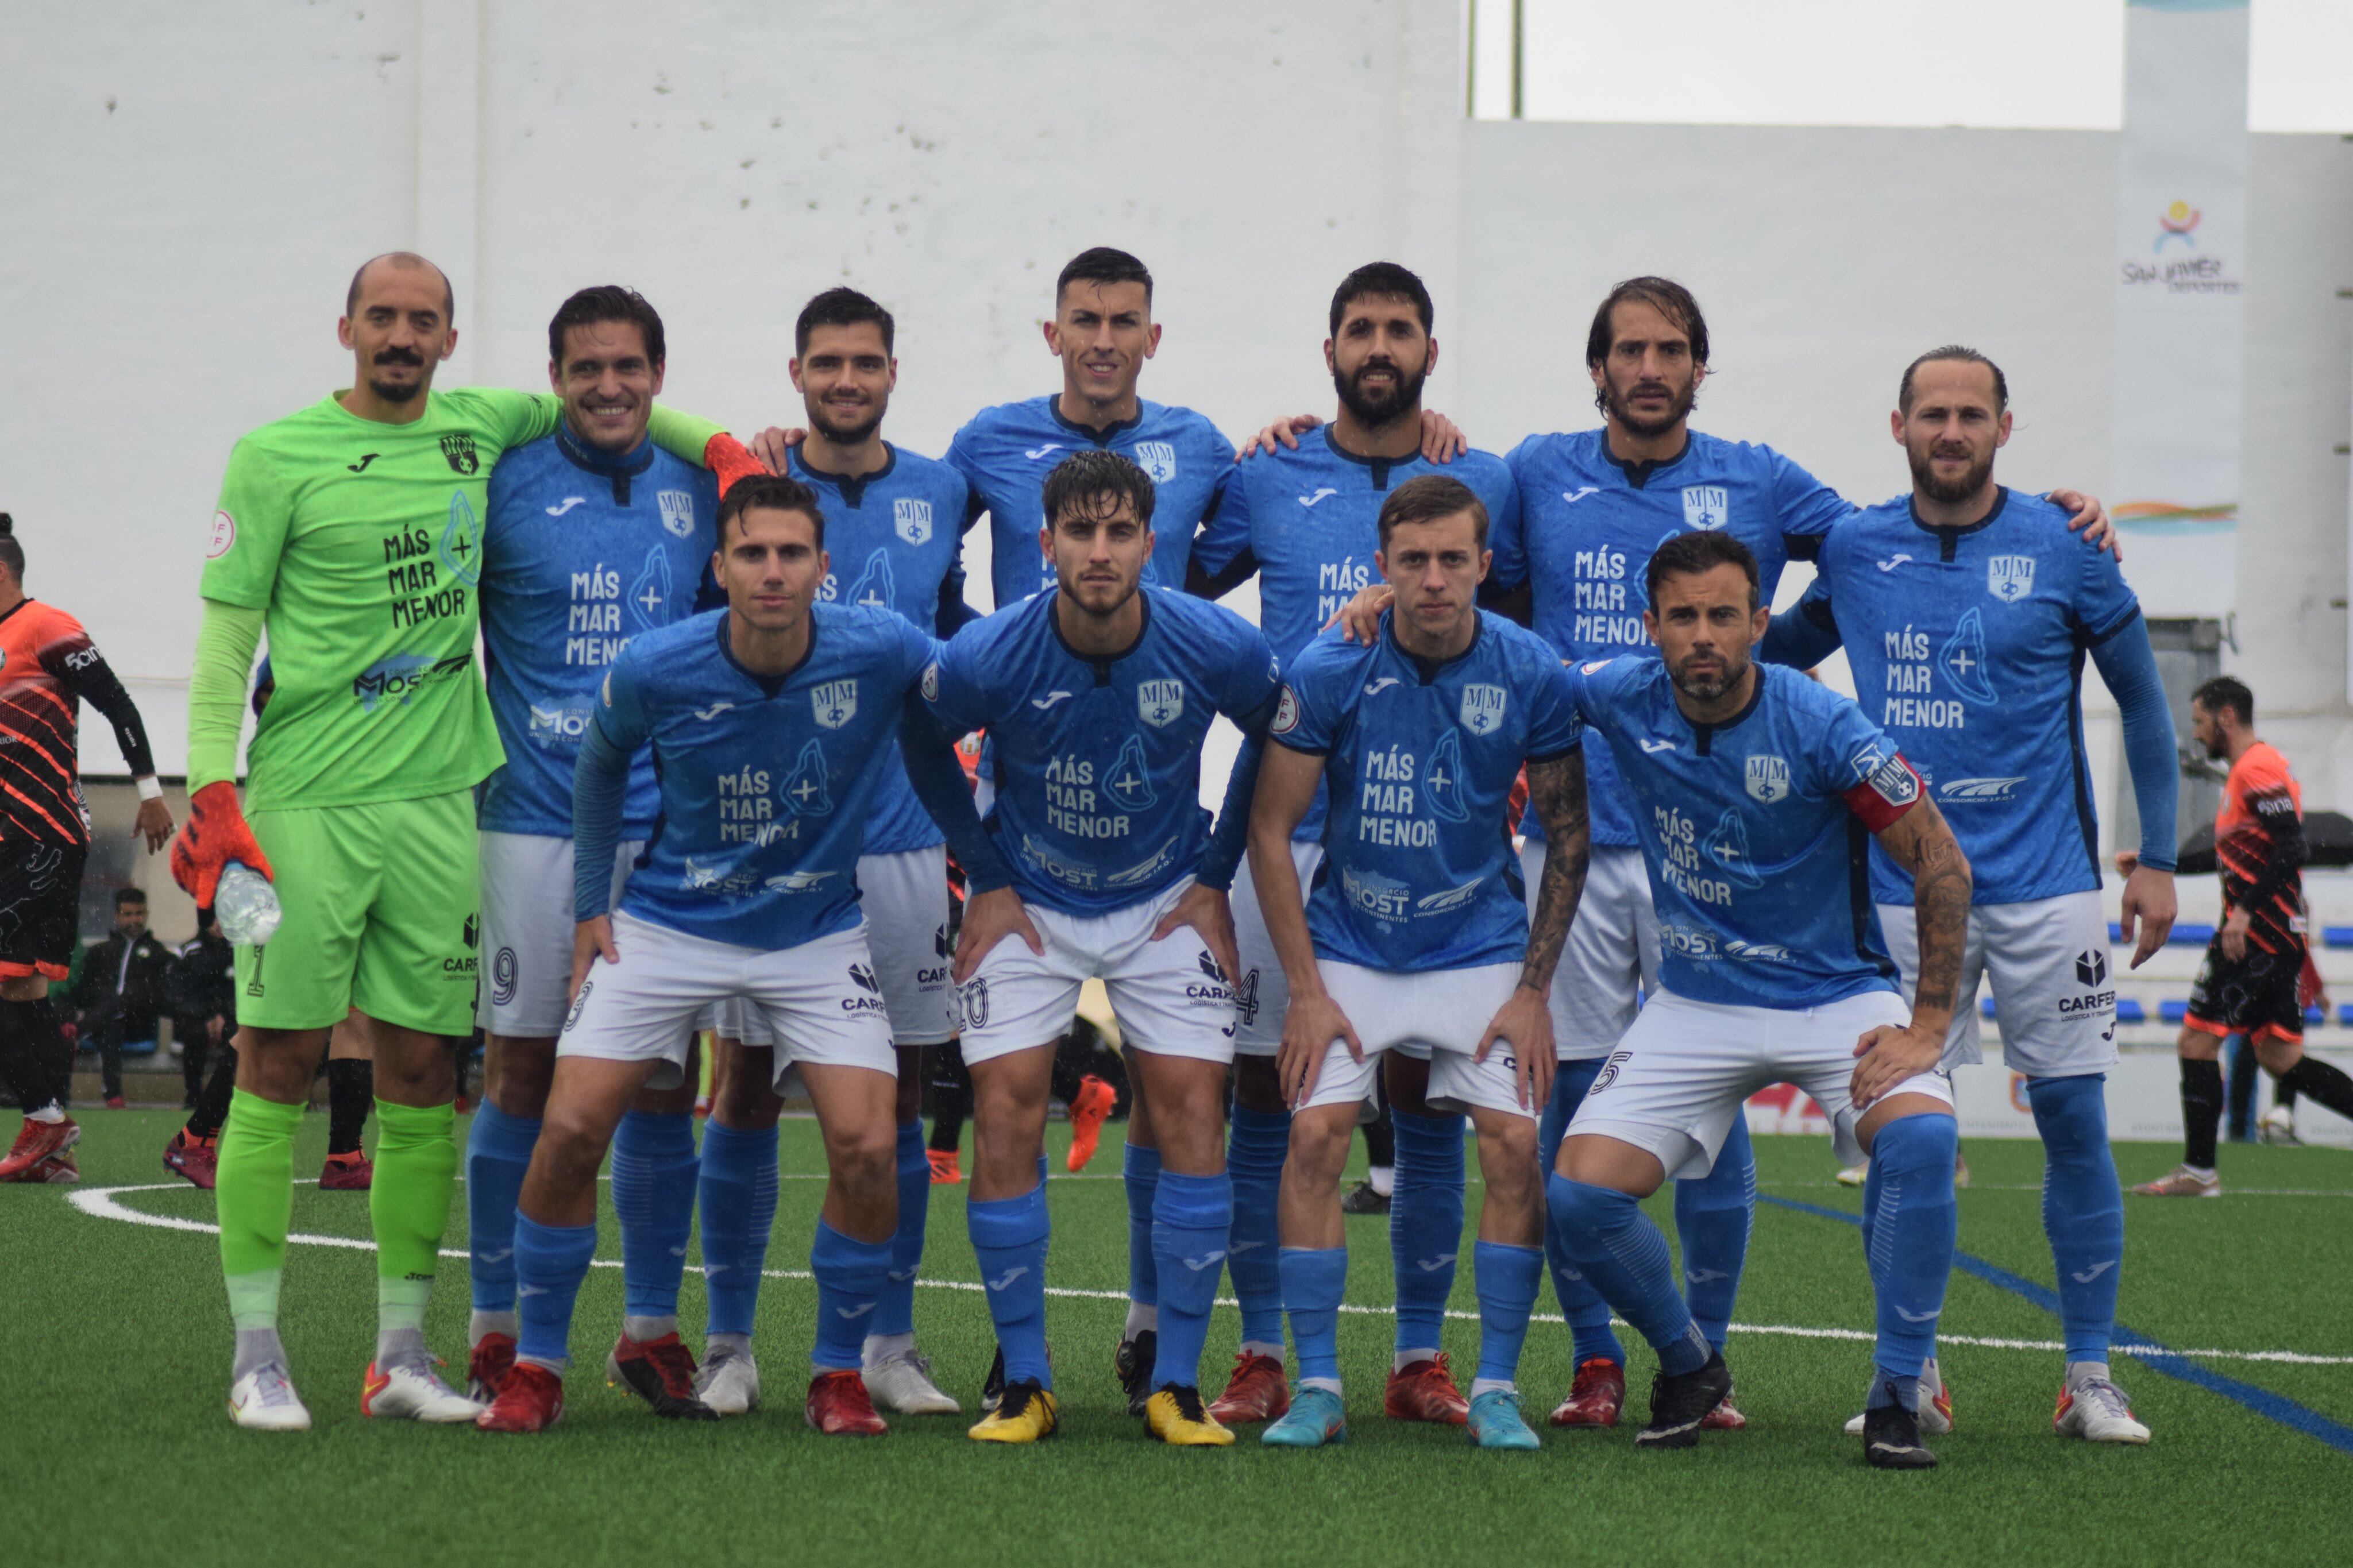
x=1968 y=648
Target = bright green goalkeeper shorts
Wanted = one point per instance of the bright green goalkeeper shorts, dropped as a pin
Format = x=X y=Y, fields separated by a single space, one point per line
x=382 y=913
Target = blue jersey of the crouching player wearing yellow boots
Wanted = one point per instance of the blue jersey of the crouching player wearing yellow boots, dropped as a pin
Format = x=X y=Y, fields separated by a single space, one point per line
x=1098 y=760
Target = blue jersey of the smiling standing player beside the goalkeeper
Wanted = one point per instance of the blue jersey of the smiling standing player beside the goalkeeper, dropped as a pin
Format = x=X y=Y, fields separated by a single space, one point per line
x=582 y=554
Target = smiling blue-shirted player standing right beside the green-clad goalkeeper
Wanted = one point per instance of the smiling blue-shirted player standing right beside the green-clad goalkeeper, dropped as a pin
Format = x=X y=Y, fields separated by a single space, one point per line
x=594 y=537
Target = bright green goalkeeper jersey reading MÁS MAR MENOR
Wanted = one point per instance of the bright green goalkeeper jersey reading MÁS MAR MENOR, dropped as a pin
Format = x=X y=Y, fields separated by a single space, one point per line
x=364 y=547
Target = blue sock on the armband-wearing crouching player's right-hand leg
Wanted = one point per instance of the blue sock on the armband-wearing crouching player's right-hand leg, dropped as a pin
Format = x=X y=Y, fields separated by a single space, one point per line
x=1912 y=1238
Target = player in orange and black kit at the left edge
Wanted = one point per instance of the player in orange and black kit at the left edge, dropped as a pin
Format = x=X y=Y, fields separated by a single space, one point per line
x=48 y=669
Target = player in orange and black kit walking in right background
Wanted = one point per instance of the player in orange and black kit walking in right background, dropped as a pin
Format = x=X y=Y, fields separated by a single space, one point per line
x=2248 y=981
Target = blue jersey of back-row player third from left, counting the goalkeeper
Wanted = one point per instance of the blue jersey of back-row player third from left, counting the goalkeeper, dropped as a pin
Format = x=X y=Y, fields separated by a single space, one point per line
x=893 y=537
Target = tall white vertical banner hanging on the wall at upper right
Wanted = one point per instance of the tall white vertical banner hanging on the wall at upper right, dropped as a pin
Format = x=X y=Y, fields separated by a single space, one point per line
x=2180 y=276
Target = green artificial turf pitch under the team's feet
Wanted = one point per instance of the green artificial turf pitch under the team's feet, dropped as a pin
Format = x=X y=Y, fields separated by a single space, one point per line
x=116 y=1445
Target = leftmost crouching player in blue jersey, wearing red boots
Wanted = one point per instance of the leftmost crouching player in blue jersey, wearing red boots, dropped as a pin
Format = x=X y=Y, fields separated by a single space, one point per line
x=771 y=725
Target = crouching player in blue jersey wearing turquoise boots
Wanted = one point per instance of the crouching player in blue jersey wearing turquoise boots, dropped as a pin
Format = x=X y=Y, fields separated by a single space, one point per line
x=1418 y=927
